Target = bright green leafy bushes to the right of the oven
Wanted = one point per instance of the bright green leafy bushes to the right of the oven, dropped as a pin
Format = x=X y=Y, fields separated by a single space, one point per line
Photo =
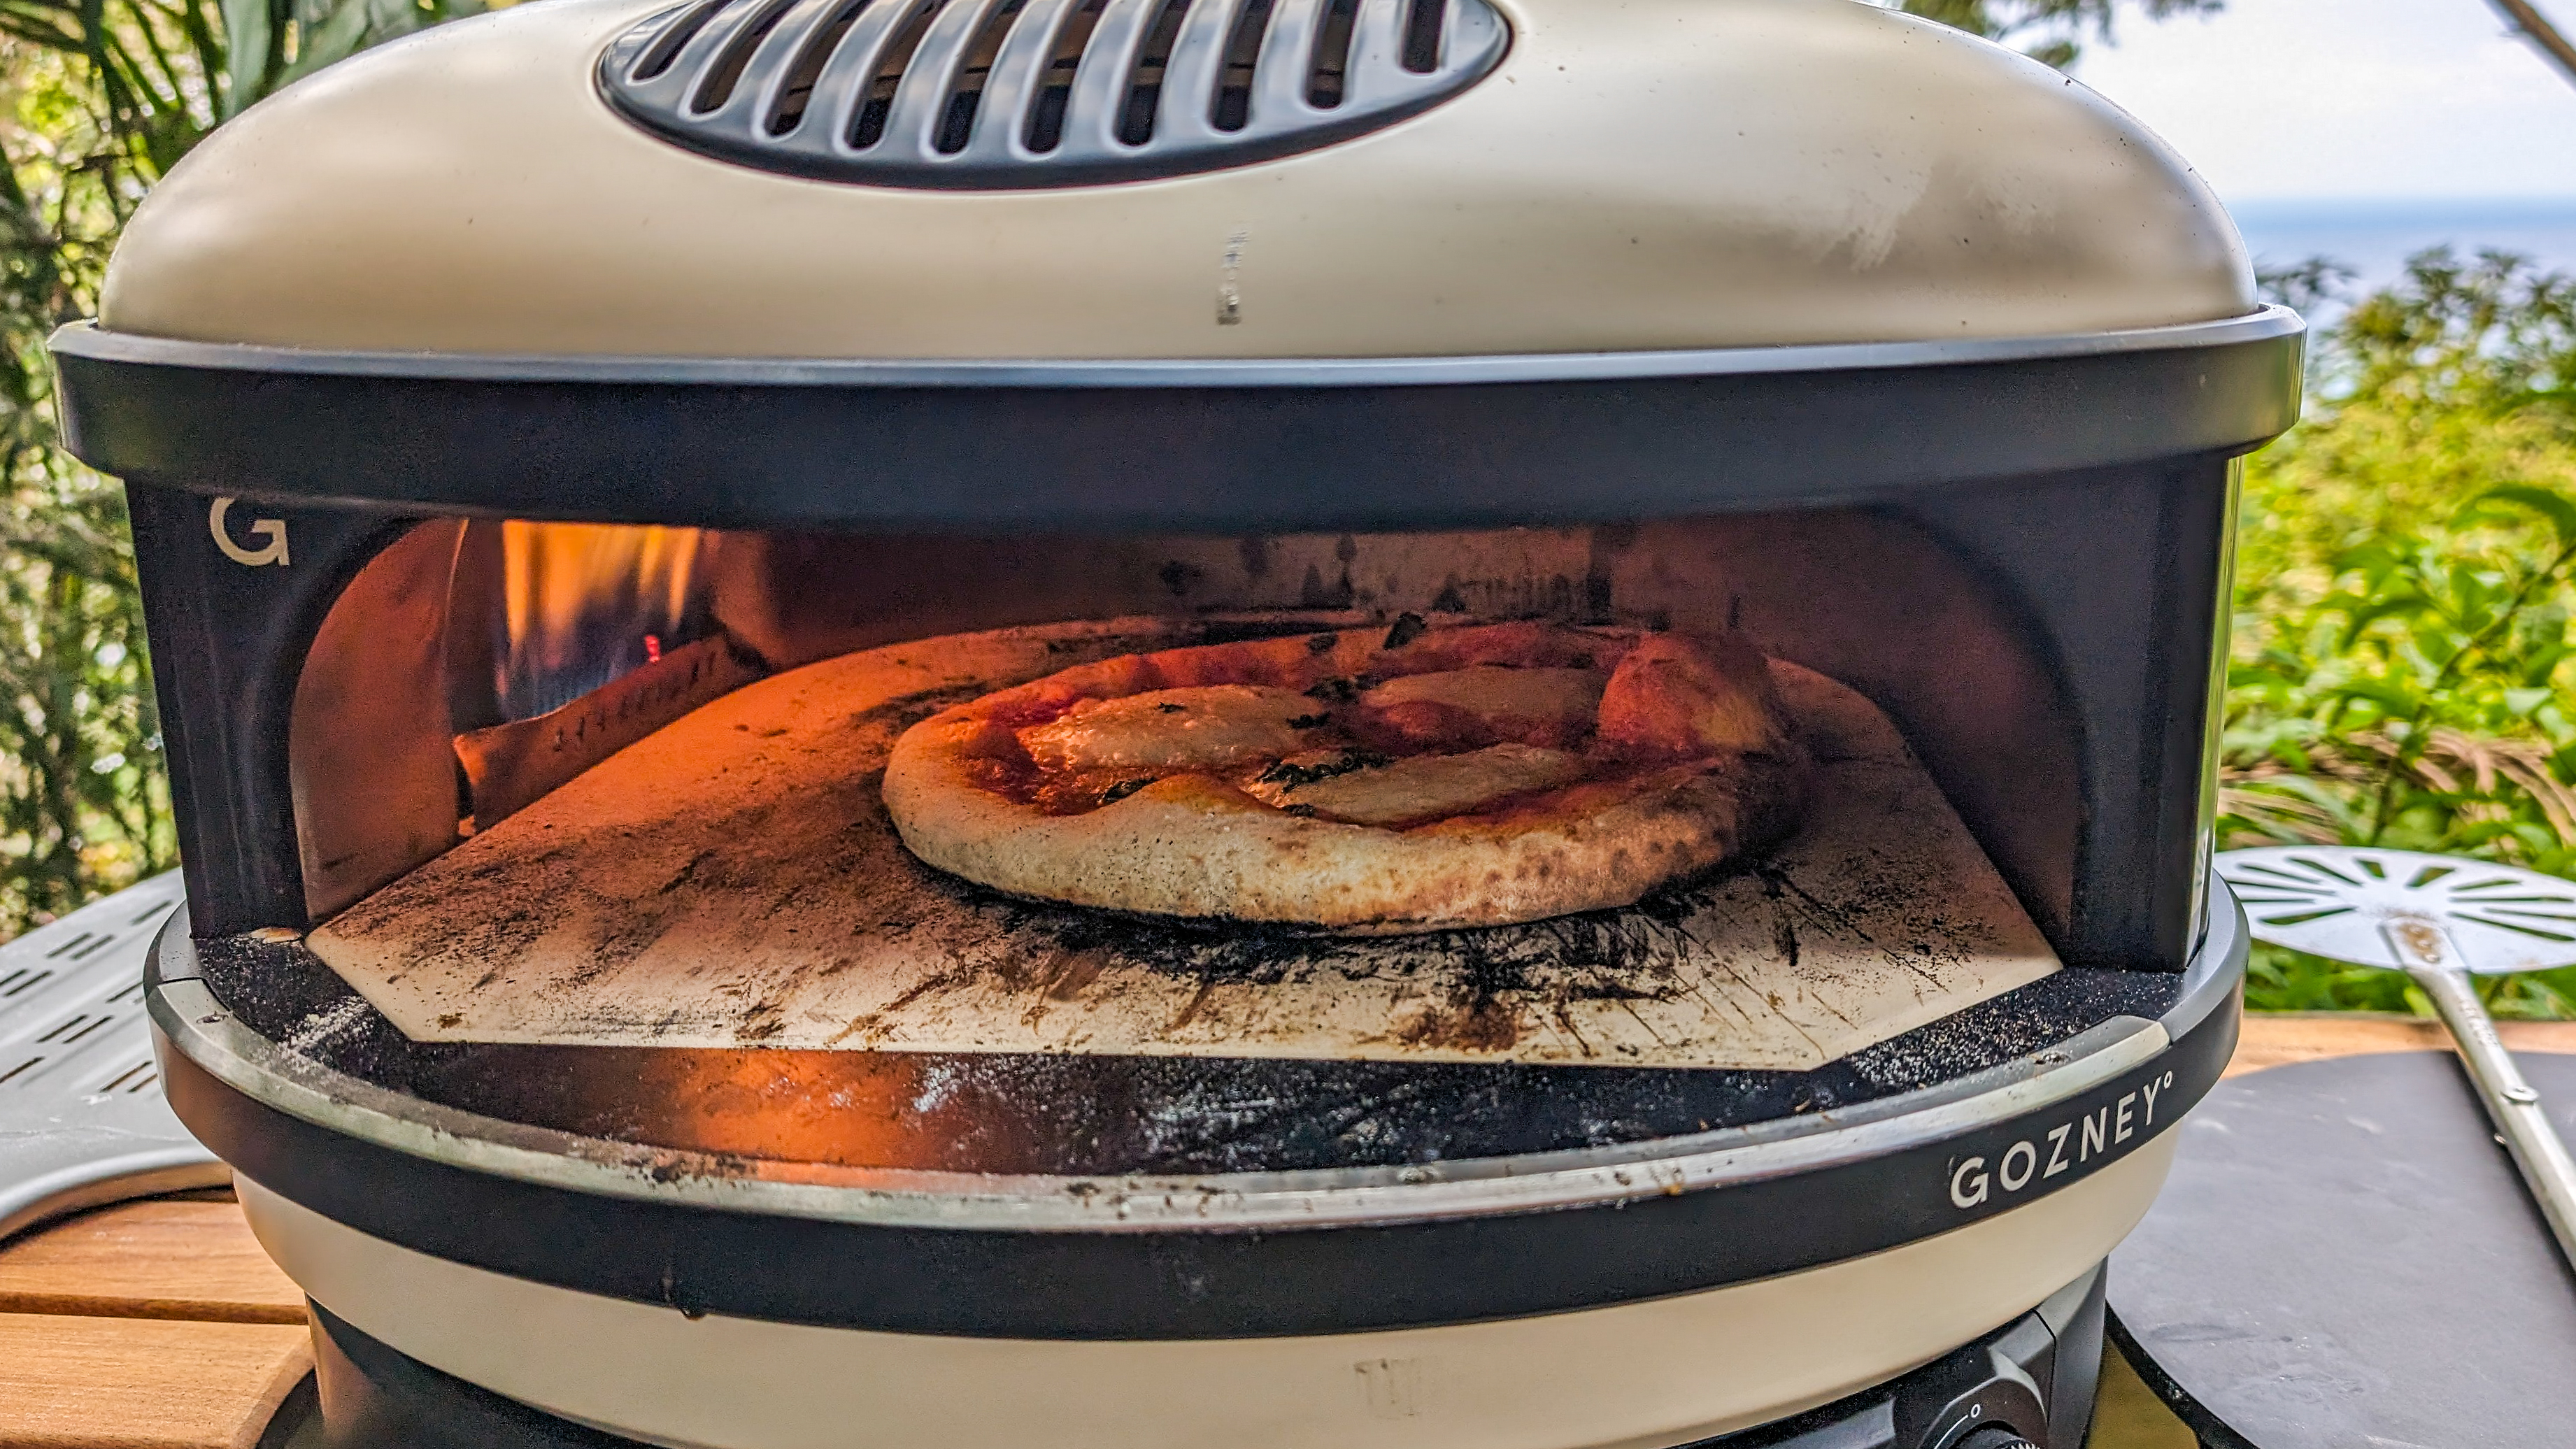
x=2405 y=583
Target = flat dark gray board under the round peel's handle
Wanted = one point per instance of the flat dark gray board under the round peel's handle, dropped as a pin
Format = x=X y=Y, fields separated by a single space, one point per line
x=2348 y=1260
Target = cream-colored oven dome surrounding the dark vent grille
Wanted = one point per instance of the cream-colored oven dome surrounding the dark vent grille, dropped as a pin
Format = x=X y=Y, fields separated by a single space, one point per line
x=1632 y=176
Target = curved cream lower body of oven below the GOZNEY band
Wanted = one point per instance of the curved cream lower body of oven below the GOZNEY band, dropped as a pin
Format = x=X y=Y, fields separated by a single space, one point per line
x=1642 y=1376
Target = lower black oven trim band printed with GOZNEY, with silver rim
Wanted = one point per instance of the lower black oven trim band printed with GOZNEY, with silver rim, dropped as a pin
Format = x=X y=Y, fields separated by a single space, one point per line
x=1197 y=1260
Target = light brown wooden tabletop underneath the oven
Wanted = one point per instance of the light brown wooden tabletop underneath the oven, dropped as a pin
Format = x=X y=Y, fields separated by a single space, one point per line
x=164 y=1327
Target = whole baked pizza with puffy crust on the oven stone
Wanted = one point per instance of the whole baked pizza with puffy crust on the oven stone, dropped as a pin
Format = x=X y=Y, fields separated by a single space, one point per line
x=1372 y=781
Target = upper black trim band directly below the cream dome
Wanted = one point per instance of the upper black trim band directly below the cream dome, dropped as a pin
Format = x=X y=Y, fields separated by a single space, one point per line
x=1333 y=444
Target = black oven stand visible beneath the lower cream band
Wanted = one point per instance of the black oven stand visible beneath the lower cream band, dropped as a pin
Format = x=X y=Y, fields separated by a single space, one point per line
x=380 y=1399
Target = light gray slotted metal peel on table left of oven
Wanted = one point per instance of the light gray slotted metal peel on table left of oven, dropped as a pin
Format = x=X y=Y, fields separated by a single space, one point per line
x=81 y=1108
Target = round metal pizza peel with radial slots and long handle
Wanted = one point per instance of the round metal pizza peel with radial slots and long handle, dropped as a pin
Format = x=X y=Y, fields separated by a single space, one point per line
x=2441 y=920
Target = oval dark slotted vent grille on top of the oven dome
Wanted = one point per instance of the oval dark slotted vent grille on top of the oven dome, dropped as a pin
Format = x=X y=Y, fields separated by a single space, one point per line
x=1016 y=94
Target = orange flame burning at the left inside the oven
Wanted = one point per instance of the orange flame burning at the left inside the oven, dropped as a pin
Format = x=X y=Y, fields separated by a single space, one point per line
x=586 y=604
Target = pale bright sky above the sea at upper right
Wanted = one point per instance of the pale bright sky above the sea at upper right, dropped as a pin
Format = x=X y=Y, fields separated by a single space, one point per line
x=2351 y=99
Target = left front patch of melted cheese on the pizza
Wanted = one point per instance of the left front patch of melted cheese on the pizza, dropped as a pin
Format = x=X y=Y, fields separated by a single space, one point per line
x=1173 y=730
